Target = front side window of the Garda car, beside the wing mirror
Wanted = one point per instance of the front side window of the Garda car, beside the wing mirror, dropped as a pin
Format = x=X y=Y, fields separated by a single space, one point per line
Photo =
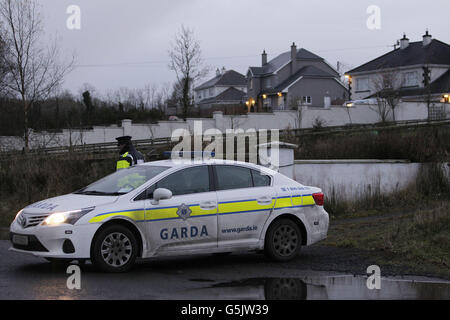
x=186 y=181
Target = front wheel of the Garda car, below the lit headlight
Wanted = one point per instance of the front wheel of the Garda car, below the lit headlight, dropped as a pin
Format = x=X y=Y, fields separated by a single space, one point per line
x=114 y=249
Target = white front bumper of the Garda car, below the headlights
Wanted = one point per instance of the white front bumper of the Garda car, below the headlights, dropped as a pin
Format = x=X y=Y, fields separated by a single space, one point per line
x=63 y=241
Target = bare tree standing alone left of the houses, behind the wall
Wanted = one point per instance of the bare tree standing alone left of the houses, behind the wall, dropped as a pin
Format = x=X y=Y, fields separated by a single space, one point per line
x=187 y=62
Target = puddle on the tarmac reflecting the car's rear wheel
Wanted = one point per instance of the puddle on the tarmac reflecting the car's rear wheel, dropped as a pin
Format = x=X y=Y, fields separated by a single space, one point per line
x=326 y=288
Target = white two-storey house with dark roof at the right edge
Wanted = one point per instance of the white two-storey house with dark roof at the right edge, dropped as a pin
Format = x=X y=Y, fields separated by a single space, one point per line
x=415 y=70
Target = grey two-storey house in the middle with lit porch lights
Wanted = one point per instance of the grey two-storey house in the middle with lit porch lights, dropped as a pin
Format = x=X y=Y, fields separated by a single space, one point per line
x=294 y=78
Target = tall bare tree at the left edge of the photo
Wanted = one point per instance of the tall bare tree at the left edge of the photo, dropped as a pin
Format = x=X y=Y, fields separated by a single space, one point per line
x=33 y=69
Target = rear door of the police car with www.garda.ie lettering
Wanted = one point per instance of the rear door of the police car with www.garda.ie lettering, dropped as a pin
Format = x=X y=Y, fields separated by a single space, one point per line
x=246 y=199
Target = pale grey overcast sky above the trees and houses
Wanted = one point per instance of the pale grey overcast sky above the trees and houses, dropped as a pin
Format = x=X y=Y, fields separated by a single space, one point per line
x=125 y=43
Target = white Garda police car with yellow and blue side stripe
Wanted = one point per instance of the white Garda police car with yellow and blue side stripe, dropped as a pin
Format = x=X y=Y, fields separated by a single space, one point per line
x=170 y=207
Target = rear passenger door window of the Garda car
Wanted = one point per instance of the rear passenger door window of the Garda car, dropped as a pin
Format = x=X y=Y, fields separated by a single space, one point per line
x=231 y=177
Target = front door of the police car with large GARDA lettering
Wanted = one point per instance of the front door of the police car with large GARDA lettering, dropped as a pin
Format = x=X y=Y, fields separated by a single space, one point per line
x=188 y=220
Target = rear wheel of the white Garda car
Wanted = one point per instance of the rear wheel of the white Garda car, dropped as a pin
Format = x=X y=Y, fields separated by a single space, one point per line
x=283 y=240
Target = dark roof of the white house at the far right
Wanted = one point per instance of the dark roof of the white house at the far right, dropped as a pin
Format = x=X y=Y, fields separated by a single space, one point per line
x=437 y=52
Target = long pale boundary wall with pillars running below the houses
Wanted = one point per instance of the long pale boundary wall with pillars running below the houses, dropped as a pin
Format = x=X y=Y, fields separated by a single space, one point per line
x=289 y=119
